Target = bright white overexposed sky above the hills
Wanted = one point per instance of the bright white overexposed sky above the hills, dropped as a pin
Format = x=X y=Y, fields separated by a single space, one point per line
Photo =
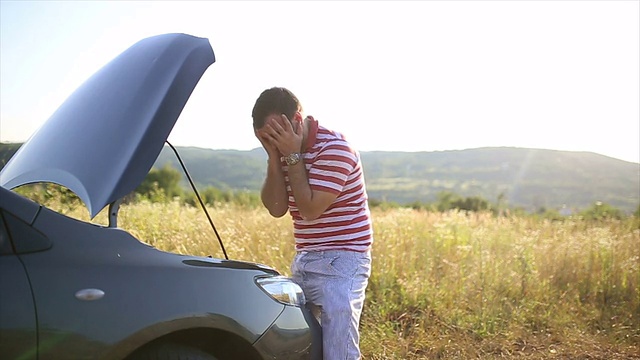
x=389 y=75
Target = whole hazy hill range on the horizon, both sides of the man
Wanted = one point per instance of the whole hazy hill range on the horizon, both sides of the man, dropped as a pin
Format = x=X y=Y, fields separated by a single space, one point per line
x=527 y=178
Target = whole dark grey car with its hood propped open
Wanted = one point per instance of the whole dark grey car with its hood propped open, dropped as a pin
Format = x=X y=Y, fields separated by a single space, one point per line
x=72 y=289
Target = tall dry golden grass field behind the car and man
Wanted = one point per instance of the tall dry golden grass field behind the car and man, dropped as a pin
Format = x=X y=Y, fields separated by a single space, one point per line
x=452 y=285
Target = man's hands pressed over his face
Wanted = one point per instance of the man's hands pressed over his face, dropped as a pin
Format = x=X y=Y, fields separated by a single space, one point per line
x=281 y=136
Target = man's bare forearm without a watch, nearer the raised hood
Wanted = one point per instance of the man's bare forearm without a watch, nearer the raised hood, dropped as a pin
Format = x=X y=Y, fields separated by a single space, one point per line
x=274 y=192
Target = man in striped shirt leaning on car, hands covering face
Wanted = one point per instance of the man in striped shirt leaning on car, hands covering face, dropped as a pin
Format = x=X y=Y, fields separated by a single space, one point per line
x=317 y=176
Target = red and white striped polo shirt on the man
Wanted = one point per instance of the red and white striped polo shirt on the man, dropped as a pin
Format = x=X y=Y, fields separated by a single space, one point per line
x=333 y=166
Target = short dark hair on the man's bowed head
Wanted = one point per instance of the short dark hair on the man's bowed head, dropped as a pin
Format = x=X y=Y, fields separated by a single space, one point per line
x=276 y=100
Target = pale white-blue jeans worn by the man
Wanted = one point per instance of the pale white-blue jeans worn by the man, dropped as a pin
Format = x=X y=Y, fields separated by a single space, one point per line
x=335 y=281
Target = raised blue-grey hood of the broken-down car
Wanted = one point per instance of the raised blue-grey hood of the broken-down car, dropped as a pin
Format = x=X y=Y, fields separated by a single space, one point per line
x=105 y=137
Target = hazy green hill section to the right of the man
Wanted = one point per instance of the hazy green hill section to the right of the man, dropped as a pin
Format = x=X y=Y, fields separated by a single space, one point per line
x=527 y=178
